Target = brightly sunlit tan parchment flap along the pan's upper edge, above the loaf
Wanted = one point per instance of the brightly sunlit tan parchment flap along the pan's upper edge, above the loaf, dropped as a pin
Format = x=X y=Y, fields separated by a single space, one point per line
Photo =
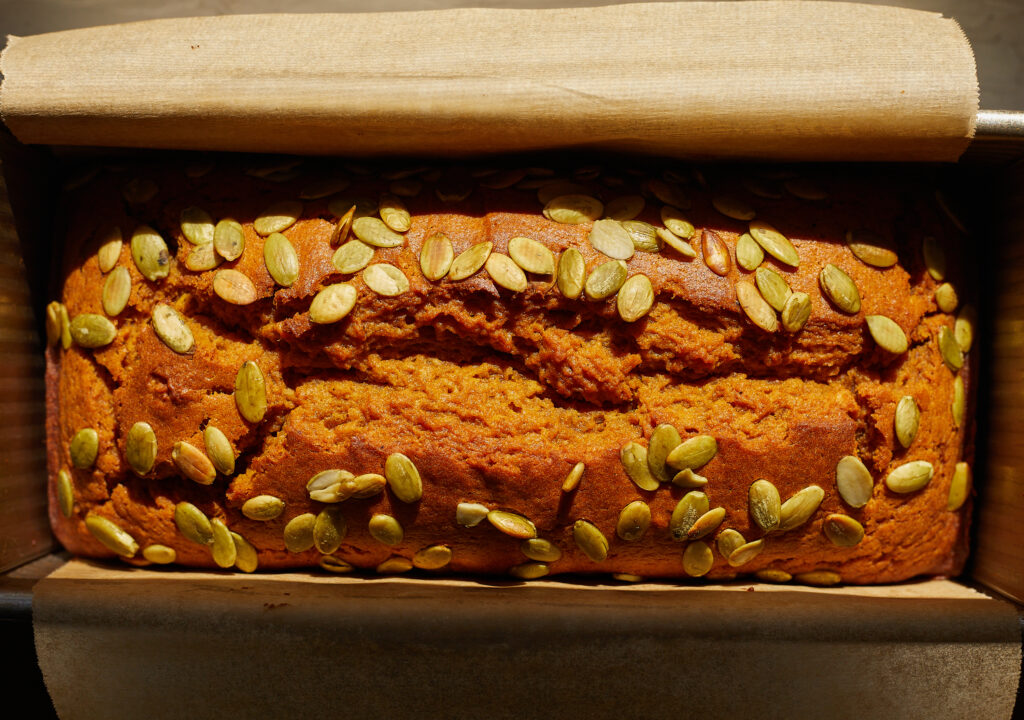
x=775 y=79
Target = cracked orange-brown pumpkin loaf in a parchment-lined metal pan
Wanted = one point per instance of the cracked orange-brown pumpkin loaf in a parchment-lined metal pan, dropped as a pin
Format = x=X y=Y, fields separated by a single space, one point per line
x=495 y=395
